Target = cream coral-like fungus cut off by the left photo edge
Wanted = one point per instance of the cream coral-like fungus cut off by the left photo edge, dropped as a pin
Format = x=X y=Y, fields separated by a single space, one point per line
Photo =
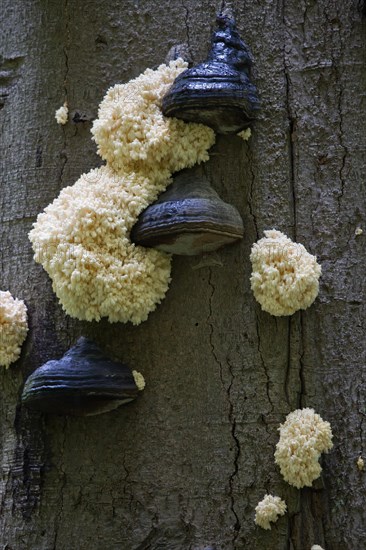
x=13 y=327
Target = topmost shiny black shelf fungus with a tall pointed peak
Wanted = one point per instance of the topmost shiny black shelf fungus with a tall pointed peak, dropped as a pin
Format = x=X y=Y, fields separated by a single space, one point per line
x=217 y=92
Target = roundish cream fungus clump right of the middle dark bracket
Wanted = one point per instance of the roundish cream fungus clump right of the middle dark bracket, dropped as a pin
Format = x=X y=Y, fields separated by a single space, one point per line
x=285 y=277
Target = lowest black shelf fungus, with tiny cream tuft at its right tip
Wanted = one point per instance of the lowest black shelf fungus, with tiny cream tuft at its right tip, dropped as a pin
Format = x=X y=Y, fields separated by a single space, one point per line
x=84 y=382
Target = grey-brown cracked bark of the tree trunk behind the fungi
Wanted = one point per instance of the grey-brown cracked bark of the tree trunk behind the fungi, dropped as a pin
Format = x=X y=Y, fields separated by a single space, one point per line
x=184 y=466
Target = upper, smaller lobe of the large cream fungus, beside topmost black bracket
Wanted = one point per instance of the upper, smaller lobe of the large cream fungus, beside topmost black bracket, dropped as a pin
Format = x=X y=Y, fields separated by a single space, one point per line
x=133 y=135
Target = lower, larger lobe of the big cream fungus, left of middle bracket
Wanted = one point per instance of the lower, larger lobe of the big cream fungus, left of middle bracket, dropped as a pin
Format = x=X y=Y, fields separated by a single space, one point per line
x=82 y=241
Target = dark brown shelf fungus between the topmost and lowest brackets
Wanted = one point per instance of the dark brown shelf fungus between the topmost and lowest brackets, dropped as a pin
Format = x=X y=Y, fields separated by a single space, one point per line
x=189 y=218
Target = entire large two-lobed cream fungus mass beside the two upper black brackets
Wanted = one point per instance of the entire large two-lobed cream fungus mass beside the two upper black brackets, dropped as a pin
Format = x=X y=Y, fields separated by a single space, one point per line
x=83 y=238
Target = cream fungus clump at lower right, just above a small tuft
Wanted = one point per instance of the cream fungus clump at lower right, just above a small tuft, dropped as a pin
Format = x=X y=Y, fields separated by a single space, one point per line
x=303 y=437
